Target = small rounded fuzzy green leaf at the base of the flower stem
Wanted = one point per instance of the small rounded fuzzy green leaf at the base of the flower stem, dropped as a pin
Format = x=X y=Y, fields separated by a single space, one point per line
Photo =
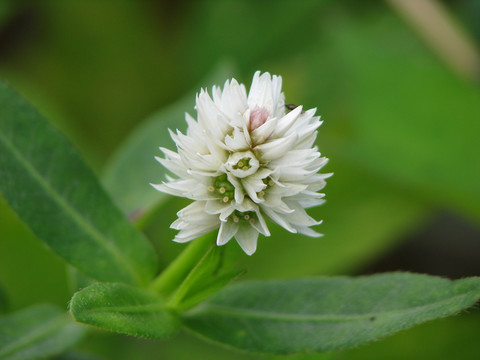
x=124 y=309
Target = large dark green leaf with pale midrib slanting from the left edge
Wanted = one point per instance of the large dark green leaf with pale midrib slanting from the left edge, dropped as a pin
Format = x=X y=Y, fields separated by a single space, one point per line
x=45 y=181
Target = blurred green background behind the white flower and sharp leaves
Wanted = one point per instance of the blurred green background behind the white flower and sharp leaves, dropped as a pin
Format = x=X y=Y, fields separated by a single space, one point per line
x=402 y=130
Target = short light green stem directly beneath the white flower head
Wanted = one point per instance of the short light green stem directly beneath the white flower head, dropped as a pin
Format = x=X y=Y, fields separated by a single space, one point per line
x=176 y=272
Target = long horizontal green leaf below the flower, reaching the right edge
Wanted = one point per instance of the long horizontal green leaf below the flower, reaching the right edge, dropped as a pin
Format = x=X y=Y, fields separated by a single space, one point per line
x=323 y=314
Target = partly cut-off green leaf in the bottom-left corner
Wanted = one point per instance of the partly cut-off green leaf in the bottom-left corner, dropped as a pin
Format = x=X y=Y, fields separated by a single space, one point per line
x=37 y=332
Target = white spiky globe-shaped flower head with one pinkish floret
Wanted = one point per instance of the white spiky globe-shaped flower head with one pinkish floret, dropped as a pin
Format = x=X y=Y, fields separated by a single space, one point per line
x=245 y=158
